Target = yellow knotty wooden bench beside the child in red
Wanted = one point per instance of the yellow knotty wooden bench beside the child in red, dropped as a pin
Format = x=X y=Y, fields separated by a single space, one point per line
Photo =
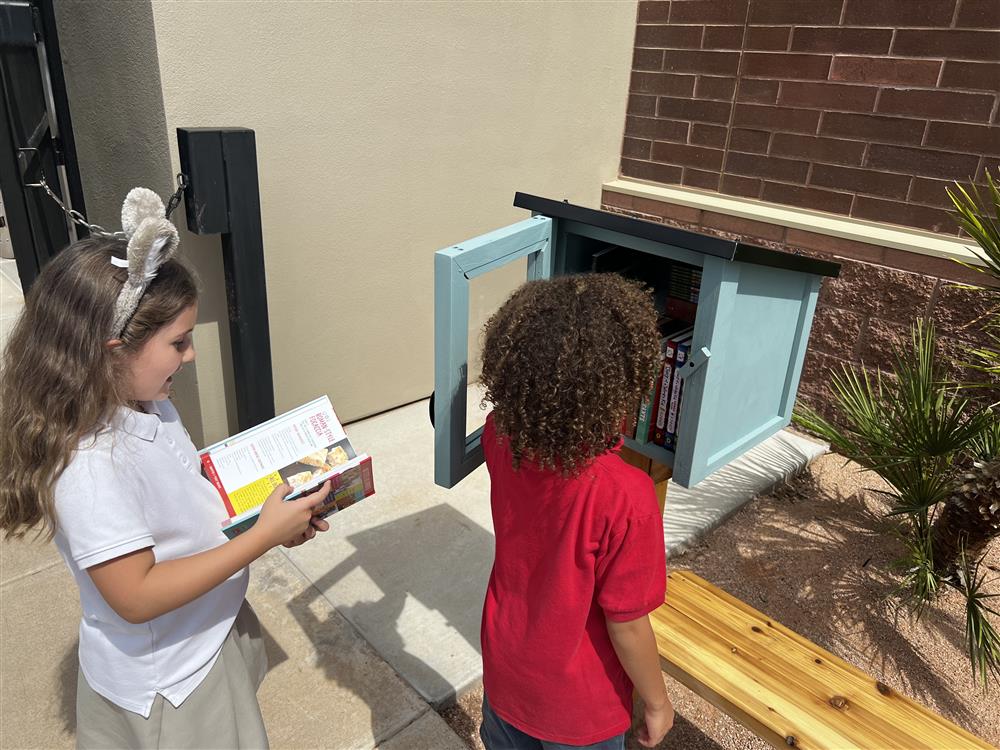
x=782 y=687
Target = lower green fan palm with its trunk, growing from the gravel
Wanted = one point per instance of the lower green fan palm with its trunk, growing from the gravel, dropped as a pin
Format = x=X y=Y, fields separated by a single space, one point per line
x=916 y=430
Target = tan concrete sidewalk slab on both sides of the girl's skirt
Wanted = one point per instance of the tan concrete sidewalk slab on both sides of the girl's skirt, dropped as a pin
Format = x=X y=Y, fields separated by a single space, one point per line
x=327 y=687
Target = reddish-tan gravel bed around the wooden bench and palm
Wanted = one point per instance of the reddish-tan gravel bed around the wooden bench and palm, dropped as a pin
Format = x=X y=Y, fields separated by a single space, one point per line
x=817 y=556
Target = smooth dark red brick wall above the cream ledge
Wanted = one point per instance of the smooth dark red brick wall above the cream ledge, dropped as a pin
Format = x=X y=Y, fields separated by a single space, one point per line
x=866 y=108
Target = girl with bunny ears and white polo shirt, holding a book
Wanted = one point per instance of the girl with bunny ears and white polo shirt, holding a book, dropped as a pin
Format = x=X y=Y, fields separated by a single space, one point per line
x=94 y=455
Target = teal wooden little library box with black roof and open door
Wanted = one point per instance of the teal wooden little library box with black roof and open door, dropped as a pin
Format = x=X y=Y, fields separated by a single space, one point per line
x=751 y=326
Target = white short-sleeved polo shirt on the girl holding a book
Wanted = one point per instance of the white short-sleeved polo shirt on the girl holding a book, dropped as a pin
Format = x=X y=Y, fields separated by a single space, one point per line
x=134 y=485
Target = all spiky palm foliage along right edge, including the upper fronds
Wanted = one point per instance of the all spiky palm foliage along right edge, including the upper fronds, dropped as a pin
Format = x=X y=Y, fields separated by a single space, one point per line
x=938 y=450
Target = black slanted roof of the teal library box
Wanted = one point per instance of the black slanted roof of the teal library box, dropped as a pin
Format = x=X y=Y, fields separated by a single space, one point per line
x=700 y=243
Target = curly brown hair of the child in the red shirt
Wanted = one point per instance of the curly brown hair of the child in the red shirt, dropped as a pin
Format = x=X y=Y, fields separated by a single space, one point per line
x=564 y=360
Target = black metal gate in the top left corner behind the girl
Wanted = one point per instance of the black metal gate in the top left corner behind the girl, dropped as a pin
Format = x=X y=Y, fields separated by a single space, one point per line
x=36 y=136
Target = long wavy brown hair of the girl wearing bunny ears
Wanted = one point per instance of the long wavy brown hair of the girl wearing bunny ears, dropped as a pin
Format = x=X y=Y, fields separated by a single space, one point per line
x=59 y=380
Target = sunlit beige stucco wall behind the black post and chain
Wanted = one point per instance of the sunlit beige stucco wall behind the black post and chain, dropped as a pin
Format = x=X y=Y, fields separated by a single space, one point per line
x=386 y=131
